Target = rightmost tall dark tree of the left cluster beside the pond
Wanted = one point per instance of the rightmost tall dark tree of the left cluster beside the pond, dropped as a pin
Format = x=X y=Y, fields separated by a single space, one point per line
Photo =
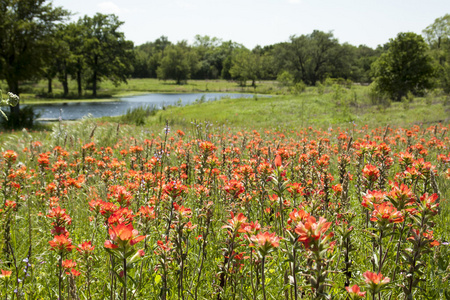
x=106 y=52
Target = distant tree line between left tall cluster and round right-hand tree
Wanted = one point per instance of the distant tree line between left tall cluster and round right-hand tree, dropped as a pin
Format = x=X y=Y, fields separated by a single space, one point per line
x=308 y=58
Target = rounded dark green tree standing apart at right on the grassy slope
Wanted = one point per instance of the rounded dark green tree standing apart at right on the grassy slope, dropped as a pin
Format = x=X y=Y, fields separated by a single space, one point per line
x=405 y=67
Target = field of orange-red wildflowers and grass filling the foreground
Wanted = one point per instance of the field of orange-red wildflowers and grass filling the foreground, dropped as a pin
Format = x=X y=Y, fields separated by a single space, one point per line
x=101 y=211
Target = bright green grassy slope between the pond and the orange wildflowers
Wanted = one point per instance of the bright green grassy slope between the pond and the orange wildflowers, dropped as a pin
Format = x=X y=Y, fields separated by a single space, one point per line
x=307 y=109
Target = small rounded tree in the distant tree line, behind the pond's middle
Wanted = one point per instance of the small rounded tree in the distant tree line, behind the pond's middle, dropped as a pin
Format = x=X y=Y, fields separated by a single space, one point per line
x=179 y=63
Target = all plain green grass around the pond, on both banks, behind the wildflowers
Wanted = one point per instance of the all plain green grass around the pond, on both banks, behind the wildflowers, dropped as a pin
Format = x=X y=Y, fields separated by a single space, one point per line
x=327 y=106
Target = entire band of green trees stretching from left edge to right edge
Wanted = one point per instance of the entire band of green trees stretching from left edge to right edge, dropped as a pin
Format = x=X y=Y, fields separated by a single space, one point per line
x=37 y=42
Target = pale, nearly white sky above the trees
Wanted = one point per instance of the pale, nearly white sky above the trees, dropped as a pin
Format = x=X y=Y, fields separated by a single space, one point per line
x=265 y=22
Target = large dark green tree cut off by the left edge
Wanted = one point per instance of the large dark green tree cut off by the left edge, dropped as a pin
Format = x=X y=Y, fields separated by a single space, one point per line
x=25 y=31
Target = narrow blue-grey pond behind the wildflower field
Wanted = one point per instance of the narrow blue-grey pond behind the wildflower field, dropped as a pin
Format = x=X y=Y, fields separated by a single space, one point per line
x=77 y=110
